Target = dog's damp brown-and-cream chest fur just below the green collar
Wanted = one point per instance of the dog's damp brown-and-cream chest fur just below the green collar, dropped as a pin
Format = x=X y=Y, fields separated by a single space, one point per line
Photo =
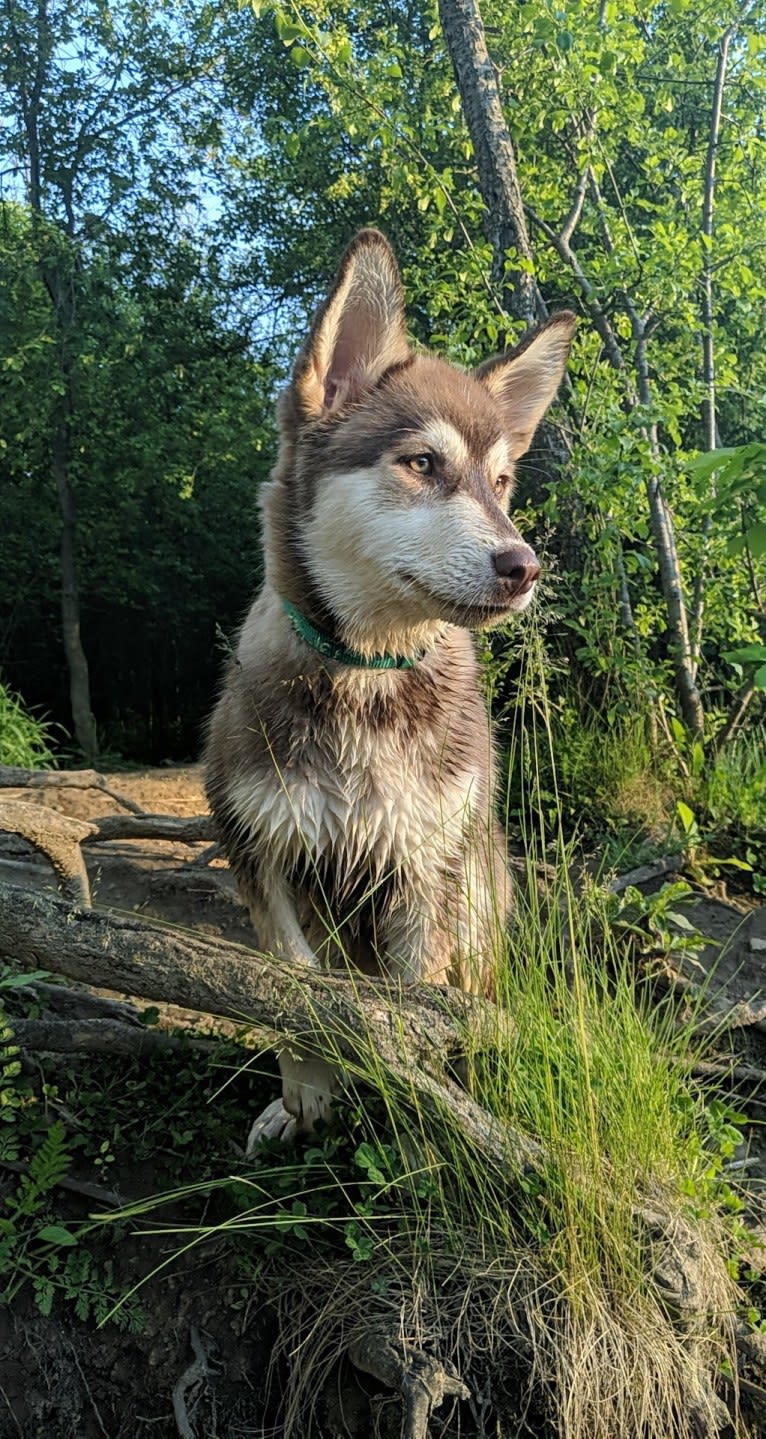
x=359 y=771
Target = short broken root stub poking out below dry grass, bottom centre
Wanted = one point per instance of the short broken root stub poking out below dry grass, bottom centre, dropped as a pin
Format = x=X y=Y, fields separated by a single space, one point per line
x=423 y=1381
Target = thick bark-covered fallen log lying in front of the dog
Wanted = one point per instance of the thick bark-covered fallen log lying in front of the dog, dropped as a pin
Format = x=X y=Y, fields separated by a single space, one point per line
x=414 y=1031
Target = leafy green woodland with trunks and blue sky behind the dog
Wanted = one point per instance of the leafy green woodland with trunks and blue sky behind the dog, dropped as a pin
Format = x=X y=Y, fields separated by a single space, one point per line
x=179 y=182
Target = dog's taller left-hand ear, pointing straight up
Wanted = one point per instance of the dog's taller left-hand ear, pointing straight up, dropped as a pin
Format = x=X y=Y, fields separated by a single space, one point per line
x=358 y=333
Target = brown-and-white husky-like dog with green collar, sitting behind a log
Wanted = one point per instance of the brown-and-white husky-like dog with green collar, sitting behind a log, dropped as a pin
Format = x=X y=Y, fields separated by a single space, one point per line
x=349 y=761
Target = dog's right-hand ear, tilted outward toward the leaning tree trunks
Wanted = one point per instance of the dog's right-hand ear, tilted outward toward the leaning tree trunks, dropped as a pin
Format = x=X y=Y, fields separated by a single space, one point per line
x=525 y=382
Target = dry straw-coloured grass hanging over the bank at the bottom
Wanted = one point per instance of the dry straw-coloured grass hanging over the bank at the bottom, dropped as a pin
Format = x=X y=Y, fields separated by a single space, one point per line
x=588 y=1363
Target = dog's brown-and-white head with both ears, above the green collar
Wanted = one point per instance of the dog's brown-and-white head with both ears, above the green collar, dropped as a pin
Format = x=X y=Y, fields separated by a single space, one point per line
x=388 y=513
